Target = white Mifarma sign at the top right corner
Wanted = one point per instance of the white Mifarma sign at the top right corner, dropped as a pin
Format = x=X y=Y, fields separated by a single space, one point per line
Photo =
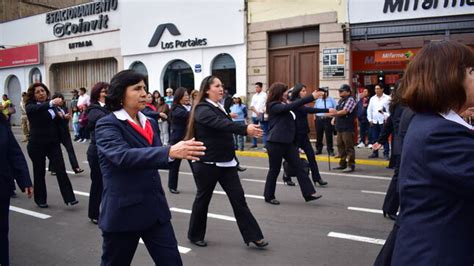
x=387 y=10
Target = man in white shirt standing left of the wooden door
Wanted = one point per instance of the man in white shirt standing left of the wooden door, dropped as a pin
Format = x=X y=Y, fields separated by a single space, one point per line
x=257 y=106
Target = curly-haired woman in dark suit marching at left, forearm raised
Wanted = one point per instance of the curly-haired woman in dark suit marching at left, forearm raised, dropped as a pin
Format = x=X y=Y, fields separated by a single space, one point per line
x=45 y=142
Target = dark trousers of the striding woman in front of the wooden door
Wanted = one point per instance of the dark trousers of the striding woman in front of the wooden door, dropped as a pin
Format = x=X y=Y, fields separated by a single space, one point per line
x=276 y=152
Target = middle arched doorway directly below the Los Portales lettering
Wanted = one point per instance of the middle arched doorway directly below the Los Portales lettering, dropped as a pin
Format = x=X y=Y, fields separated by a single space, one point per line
x=178 y=74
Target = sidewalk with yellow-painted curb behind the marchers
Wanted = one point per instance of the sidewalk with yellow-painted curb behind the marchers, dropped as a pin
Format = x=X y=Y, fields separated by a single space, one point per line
x=361 y=155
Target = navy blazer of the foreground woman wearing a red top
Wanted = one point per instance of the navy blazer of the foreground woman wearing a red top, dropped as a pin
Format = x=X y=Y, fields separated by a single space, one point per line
x=133 y=198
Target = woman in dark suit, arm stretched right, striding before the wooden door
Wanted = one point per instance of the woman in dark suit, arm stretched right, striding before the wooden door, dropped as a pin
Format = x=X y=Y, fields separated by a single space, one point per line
x=281 y=140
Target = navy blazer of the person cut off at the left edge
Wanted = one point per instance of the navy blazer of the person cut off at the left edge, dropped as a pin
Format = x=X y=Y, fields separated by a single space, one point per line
x=12 y=162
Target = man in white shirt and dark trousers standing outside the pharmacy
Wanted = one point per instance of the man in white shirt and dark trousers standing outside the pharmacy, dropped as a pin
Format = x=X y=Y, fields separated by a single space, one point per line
x=377 y=113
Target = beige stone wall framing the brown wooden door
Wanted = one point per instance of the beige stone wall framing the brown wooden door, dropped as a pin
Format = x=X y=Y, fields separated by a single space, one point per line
x=270 y=16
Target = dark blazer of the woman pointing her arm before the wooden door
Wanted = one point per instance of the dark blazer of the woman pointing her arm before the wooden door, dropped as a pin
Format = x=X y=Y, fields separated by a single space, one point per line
x=281 y=124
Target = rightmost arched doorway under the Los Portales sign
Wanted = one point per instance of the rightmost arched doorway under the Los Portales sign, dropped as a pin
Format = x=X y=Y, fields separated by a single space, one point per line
x=223 y=67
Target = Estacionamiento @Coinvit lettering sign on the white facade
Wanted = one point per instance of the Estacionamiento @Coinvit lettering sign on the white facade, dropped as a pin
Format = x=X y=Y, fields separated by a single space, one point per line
x=63 y=27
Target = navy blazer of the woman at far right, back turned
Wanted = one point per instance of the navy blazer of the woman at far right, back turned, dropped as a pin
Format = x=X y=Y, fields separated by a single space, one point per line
x=437 y=194
